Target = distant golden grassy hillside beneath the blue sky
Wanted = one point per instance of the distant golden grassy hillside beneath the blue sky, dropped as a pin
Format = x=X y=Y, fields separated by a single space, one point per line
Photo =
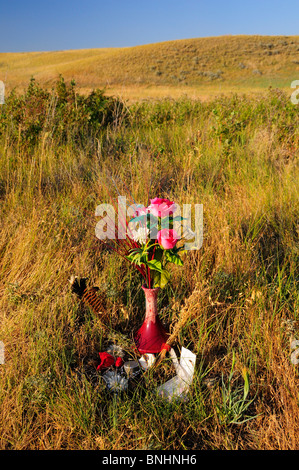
x=196 y=67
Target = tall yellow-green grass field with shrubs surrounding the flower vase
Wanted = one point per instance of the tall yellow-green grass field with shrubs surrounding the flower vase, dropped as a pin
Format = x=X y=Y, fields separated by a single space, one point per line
x=239 y=158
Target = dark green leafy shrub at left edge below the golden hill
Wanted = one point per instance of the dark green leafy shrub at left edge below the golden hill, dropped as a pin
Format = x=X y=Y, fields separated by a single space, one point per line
x=63 y=114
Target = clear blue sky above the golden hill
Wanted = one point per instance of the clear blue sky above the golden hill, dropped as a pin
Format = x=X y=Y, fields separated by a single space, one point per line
x=44 y=25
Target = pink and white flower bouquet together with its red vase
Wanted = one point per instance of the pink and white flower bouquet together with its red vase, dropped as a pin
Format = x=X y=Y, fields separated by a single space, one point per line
x=150 y=244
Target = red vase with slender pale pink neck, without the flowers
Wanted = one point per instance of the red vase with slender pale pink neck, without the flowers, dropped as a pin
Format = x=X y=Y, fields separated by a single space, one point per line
x=152 y=336
